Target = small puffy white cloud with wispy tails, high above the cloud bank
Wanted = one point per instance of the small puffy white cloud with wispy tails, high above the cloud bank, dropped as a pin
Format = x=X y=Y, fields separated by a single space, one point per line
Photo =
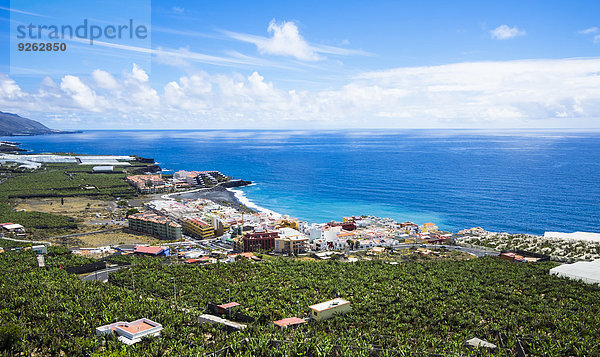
x=286 y=40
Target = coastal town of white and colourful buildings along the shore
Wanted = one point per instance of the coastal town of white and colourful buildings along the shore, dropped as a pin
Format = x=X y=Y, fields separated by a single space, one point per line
x=200 y=214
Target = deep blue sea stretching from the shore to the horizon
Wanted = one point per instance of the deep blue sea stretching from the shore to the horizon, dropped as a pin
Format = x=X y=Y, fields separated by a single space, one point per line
x=513 y=181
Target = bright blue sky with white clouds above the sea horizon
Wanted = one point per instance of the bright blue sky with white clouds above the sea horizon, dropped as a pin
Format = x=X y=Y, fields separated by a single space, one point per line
x=310 y=64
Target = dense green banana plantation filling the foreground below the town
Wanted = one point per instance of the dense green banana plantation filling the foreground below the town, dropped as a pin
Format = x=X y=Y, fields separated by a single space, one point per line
x=405 y=309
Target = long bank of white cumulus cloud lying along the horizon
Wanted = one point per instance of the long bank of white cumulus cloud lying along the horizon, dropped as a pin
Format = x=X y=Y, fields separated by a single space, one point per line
x=475 y=94
